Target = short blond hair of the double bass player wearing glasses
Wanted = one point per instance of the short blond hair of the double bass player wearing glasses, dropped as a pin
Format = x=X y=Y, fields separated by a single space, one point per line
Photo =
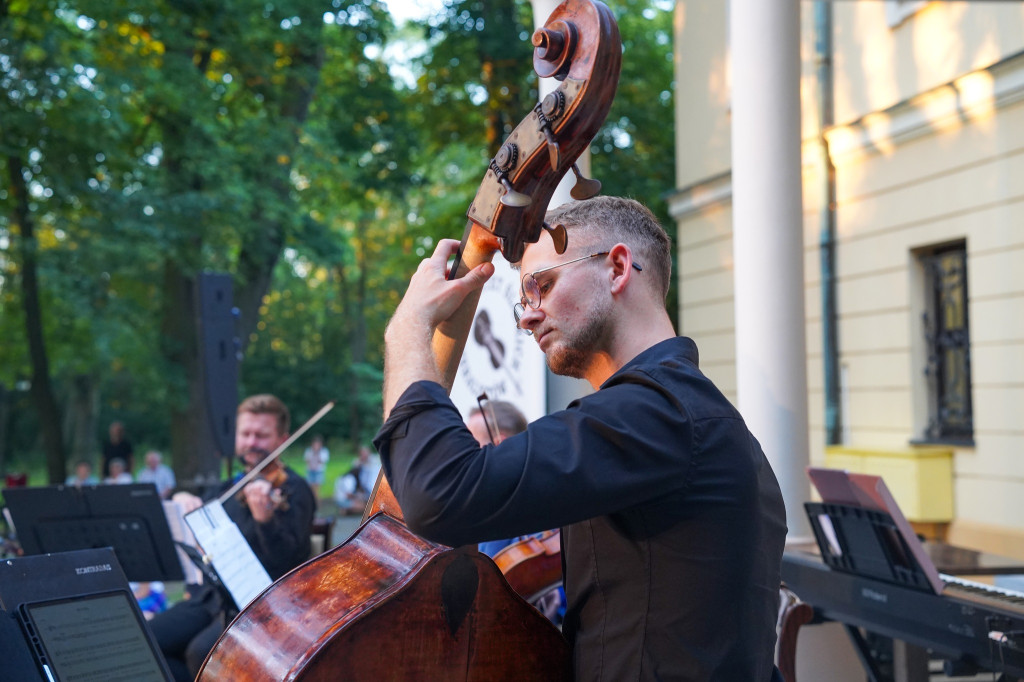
x=604 y=222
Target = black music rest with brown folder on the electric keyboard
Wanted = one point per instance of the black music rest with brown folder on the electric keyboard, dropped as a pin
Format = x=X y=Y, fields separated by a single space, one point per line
x=862 y=530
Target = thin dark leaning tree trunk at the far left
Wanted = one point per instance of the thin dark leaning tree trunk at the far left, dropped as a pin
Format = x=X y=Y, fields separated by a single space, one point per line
x=42 y=389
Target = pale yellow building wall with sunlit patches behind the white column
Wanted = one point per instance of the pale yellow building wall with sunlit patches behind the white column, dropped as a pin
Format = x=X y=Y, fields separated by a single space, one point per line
x=929 y=148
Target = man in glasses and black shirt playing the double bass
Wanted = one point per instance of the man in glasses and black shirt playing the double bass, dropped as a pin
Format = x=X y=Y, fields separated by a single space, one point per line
x=673 y=523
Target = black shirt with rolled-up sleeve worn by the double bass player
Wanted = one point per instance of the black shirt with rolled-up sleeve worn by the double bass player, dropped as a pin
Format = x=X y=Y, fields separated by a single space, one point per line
x=673 y=523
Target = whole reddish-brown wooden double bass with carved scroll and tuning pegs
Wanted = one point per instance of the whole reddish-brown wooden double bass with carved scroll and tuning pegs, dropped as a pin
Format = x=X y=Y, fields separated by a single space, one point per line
x=389 y=605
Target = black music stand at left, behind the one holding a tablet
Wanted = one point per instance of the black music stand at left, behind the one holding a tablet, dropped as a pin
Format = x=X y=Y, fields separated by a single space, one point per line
x=127 y=518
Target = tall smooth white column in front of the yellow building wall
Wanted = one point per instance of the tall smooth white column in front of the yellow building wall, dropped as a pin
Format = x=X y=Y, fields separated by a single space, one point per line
x=769 y=249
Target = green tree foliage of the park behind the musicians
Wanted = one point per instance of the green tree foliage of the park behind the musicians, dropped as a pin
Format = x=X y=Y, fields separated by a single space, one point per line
x=145 y=143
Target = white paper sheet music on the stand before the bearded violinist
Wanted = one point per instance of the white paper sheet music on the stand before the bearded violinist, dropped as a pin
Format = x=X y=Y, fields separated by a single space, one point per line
x=231 y=555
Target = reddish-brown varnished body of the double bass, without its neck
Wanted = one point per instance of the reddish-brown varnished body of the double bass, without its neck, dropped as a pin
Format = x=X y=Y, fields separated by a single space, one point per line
x=391 y=606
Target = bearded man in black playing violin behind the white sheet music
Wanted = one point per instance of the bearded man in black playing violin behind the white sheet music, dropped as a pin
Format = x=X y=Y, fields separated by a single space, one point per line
x=275 y=515
